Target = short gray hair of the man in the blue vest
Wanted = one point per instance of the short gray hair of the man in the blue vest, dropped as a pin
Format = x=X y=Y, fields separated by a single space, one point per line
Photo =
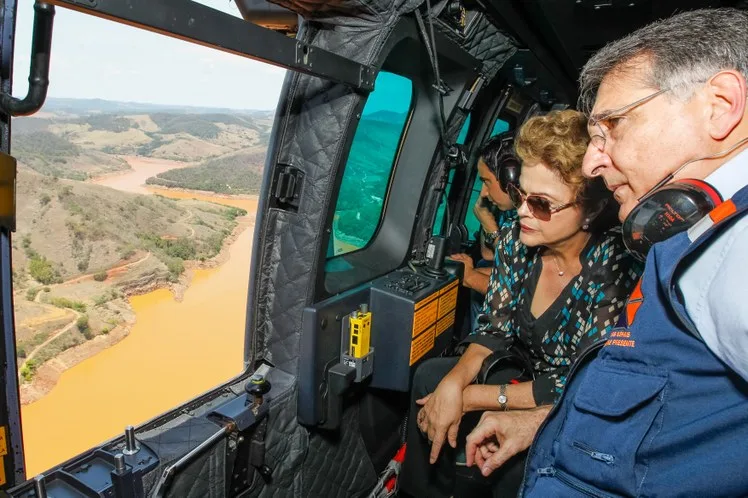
x=683 y=50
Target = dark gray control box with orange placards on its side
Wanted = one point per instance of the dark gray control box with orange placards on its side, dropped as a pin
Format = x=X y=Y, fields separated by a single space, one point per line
x=413 y=319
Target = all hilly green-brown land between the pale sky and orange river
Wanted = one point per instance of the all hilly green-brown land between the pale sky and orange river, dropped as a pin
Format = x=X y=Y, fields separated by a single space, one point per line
x=82 y=247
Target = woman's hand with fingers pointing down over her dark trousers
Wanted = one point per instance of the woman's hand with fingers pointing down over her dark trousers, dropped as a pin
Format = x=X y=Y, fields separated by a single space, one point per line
x=440 y=416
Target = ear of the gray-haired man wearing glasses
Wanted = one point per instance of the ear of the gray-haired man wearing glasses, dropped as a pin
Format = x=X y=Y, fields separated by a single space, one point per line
x=726 y=94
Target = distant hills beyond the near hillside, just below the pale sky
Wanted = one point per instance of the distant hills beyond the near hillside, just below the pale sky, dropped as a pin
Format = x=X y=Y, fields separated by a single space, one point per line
x=83 y=138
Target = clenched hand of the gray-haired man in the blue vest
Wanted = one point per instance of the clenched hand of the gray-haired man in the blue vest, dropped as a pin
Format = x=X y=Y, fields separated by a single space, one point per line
x=514 y=432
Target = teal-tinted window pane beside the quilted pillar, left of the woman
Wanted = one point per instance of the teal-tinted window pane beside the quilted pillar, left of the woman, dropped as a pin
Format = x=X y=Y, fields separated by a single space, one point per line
x=370 y=163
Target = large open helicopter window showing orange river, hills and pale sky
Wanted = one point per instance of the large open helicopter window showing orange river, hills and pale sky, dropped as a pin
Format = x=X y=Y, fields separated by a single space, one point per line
x=130 y=298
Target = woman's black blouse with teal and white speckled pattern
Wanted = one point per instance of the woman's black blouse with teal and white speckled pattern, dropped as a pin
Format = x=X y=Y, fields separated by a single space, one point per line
x=584 y=313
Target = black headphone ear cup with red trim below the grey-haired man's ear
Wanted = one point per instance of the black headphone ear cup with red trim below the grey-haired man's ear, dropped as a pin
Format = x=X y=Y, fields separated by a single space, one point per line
x=667 y=211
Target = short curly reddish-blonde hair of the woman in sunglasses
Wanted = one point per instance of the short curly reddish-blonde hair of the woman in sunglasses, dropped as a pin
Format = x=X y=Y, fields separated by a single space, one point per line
x=559 y=140
